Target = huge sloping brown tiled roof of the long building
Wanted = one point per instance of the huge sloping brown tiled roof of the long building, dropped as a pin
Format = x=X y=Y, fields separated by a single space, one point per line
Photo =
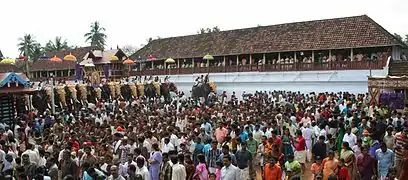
x=347 y=32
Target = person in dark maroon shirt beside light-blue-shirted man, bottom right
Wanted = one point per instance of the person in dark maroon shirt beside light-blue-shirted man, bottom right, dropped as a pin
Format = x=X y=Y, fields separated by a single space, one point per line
x=366 y=165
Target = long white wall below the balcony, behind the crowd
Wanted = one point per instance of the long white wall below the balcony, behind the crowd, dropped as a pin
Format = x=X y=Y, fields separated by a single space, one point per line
x=304 y=81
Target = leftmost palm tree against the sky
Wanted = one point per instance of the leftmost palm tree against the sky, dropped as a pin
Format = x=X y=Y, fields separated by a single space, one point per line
x=29 y=44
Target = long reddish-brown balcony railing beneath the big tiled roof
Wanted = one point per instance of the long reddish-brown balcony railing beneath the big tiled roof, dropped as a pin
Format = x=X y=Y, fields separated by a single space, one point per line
x=323 y=66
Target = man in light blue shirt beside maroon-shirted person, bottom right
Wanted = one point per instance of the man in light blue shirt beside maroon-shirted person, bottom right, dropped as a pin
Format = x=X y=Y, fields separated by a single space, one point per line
x=385 y=158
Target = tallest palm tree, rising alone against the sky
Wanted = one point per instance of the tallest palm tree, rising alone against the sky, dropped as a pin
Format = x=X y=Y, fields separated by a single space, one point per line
x=96 y=36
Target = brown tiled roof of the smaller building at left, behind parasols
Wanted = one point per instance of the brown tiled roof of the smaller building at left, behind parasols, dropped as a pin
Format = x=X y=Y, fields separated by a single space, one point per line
x=79 y=53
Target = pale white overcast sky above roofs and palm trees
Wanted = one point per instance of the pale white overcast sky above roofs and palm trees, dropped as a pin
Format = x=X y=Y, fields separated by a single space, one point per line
x=132 y=22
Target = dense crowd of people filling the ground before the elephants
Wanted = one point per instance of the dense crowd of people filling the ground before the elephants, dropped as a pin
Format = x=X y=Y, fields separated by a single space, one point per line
x=268 y=135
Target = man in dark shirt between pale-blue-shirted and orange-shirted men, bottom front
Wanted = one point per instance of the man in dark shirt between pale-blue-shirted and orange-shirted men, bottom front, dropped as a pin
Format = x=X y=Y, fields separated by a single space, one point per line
x=244 y=161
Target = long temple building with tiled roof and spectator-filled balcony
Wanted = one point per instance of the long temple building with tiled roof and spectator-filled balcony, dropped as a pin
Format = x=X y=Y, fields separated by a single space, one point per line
x=349 y=43
